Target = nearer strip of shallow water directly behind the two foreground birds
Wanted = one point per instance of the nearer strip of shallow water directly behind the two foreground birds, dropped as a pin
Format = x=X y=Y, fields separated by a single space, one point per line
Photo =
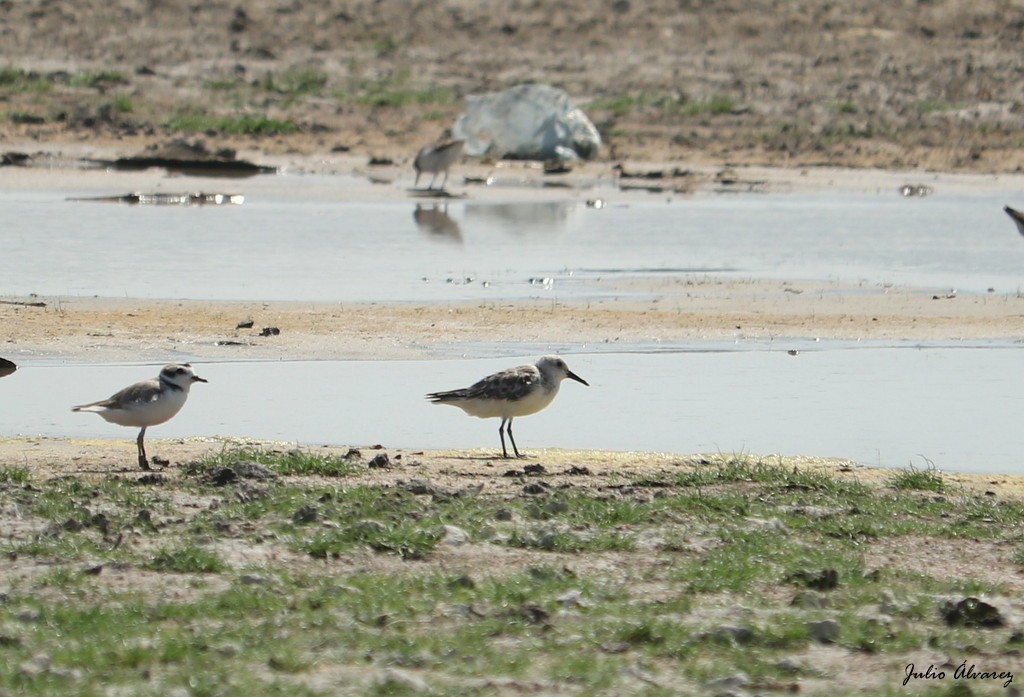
x=956 y=409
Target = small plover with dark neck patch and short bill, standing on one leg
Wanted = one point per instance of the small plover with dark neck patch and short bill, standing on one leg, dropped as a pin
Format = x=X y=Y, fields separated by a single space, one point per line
x=148 y=404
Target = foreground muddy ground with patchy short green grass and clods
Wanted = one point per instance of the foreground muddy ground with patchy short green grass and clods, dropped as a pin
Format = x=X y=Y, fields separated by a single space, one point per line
x=680 y=576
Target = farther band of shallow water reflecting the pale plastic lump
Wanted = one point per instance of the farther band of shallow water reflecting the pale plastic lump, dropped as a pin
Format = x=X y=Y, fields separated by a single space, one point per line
x=301 y=244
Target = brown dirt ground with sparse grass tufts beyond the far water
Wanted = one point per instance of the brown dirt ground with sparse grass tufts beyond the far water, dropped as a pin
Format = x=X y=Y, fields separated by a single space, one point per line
x=931 y=84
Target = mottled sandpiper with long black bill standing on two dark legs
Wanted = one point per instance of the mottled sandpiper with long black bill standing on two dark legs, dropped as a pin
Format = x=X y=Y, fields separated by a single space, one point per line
x=516 y=393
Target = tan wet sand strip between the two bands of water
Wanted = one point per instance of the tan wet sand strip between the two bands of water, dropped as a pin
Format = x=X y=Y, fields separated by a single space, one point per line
x=681 y=311
